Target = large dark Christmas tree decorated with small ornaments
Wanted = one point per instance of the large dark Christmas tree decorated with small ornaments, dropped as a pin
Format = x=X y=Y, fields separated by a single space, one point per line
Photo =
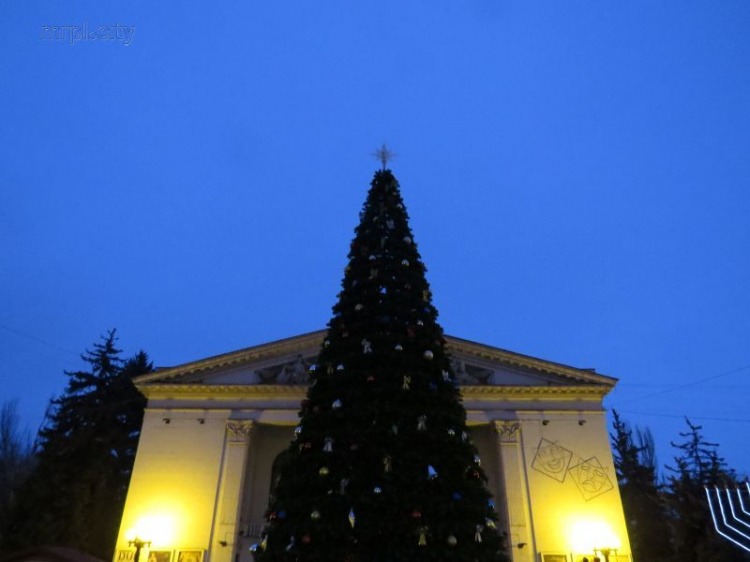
x=382 y=467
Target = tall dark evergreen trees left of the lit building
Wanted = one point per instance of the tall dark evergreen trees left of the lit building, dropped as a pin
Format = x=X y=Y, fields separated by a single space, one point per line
x=76 y=492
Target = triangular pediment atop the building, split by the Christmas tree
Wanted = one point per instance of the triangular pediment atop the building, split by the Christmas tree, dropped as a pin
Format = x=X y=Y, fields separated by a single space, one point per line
x=286 y=363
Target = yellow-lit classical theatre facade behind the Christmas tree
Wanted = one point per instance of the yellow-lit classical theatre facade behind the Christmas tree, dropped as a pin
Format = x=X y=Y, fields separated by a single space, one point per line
x=215 y=430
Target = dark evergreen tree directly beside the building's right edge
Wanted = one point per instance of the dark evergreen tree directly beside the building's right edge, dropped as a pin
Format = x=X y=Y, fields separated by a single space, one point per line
x=645 y=513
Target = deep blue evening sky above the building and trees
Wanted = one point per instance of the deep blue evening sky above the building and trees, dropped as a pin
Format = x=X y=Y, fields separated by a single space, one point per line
x=576 y=174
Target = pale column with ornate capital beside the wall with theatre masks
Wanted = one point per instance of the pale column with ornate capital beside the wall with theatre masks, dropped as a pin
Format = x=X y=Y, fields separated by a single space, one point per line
x=515 y=491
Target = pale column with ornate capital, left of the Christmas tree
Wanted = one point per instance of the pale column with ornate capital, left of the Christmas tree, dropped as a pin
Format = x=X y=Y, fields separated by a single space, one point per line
x=226 y=514
